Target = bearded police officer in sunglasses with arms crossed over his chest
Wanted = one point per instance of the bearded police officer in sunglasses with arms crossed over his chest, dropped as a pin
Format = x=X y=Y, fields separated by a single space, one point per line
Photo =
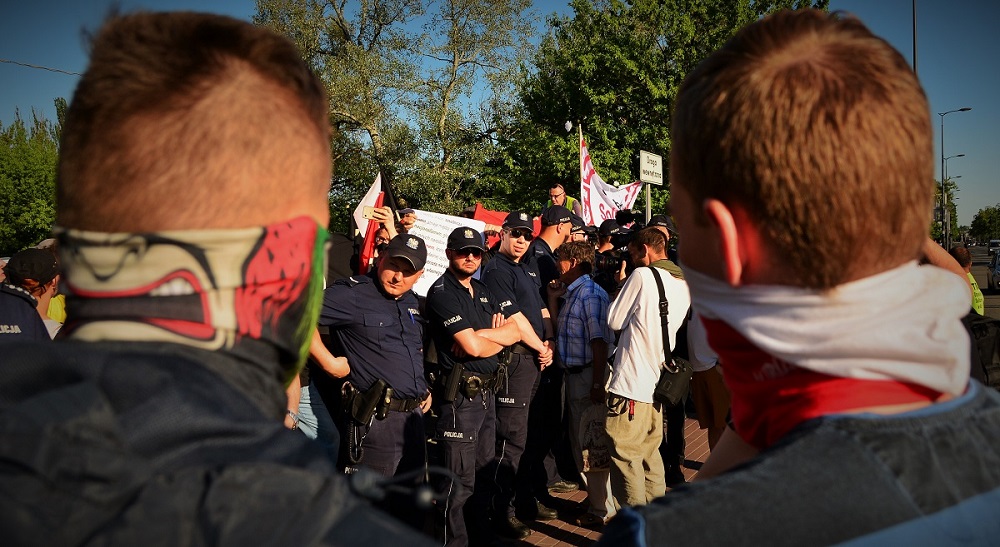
x=468 y=332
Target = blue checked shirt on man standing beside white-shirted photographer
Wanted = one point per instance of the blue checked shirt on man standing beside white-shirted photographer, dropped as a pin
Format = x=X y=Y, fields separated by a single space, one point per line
x=582 y=318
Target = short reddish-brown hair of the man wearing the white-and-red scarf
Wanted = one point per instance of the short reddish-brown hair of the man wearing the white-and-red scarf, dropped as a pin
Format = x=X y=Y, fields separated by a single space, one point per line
x=820 y=132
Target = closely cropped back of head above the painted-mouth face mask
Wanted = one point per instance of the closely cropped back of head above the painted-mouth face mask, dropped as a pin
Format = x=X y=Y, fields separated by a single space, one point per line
x=189 y=120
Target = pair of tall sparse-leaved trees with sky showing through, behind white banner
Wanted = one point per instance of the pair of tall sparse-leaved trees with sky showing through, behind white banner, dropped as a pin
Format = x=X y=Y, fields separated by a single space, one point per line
x=414 y=88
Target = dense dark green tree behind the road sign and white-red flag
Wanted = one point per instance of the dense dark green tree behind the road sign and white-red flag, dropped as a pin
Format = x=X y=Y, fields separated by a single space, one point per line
x=614 y=68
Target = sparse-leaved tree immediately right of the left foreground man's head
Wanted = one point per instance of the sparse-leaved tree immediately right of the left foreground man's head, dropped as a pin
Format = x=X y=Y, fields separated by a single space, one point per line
x=360 y=54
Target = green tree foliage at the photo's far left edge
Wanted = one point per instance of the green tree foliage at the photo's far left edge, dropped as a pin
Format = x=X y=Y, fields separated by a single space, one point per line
x=29 y=153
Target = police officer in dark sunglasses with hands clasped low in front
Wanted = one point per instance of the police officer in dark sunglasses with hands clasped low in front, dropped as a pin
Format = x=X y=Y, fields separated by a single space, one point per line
x=514 y=279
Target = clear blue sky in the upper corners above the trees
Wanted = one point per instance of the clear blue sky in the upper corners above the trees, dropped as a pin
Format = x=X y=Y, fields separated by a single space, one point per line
x=958 y=54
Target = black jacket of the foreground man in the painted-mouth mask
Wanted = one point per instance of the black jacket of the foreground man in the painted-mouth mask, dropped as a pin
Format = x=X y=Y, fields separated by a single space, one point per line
x=140 y=444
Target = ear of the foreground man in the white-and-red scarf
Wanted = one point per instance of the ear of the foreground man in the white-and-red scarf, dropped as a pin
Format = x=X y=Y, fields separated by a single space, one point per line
x=739 y=242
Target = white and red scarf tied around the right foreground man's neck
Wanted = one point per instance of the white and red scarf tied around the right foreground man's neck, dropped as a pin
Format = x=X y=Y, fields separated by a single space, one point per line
x=792 y=354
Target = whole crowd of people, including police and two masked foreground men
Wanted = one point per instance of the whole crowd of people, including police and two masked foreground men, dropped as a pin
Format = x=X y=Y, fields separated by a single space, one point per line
x=208 y=384
